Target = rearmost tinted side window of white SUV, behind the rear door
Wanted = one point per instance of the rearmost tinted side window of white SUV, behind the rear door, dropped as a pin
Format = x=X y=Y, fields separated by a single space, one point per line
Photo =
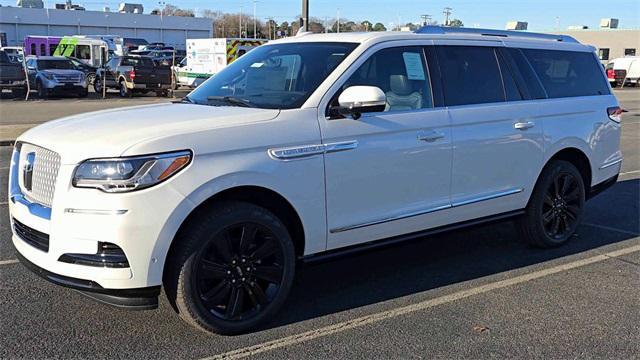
x=568 y=73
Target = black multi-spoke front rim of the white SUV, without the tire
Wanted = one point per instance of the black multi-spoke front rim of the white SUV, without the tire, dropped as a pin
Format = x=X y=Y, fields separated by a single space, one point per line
x=239 y=272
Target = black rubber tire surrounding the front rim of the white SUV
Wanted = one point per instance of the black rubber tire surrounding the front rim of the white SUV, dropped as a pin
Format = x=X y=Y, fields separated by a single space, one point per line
x=220 y=219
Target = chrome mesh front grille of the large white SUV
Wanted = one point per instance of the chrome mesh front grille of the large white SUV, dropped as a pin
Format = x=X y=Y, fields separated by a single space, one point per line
x=45 y=173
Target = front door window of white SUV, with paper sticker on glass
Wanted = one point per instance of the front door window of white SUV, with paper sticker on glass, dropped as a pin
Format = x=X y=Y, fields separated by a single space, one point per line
x=401 y=74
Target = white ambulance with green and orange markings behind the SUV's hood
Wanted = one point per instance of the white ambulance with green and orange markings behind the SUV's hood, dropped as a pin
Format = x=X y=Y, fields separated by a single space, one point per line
x=206 y=57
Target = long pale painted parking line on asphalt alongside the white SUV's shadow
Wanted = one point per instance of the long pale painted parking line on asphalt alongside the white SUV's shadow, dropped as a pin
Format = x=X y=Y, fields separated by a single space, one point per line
x=377 y=317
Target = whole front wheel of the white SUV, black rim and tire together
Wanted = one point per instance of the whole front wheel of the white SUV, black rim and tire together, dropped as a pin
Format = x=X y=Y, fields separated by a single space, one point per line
x=206 y=280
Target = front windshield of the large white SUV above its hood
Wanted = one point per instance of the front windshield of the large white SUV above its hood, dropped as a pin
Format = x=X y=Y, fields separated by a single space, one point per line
x=279 y=76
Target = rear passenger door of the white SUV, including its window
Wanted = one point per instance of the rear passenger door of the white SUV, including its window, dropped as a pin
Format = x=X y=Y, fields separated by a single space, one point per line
x=498 y=140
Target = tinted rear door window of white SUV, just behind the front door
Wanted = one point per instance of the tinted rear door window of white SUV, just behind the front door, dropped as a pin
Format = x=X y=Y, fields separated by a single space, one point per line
x=470 y=75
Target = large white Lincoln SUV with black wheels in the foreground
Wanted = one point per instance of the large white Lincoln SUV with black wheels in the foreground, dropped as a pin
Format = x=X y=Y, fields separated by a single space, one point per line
x=310 y=146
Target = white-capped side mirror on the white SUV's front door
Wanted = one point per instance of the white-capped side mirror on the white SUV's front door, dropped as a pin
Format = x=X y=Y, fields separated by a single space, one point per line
x=356 y=100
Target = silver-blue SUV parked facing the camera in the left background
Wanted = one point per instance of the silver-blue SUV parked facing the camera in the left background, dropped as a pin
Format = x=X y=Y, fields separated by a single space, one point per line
x=55 y=75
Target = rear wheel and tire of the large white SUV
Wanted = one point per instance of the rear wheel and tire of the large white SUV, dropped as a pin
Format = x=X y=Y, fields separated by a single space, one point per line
x=556 y=207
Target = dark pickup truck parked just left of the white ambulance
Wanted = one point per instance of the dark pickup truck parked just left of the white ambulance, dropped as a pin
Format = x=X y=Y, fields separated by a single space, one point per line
x=132 y=73
